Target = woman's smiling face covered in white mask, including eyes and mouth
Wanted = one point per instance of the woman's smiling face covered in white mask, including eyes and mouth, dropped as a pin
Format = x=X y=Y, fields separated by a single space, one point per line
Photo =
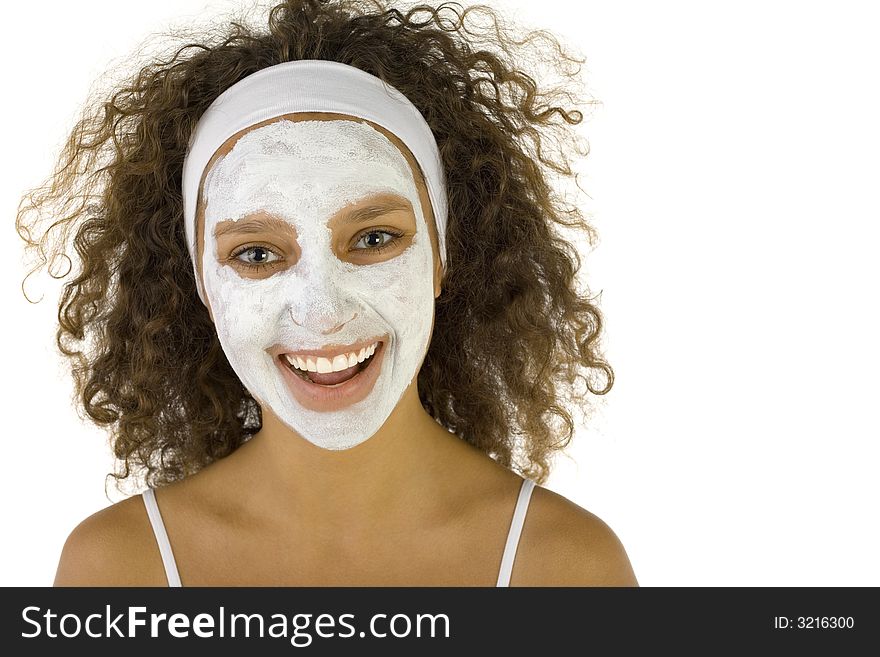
x=320 y=272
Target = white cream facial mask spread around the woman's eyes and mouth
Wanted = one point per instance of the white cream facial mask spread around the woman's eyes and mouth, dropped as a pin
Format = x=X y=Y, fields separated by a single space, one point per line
x=304 y=172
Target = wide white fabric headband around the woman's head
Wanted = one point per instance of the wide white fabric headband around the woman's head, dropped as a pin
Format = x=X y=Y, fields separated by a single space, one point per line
x=311 y=85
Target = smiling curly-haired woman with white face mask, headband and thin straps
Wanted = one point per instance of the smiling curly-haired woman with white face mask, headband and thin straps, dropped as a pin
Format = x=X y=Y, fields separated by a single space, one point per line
x=322 y=306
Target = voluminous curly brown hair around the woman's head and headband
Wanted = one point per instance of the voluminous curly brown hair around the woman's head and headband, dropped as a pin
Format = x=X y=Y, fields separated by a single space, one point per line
x=513 y=336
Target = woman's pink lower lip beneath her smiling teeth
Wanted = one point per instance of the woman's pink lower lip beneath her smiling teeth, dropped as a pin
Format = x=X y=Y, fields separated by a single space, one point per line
x=321 y=398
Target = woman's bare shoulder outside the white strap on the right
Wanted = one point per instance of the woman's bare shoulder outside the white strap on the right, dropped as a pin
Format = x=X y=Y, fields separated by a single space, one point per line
x=563 y=544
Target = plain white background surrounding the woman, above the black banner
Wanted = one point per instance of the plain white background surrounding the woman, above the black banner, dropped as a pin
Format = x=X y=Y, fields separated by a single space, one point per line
x=733 y=180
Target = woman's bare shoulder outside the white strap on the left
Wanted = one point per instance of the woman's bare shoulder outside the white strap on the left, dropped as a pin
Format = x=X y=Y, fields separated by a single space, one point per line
x=113 y=547
